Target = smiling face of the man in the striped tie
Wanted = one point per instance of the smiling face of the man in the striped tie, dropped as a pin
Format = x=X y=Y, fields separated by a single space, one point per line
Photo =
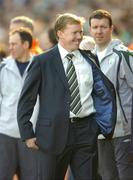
x=71 y=36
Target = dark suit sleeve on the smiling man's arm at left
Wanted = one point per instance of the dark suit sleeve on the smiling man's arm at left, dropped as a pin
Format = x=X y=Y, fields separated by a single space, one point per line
x=28 y=99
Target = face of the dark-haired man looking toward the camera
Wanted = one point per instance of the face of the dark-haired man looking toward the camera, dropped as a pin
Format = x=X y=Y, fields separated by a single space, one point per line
x=101 y=31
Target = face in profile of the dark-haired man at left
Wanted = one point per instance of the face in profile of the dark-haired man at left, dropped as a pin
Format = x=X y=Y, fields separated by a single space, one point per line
x=16 y=47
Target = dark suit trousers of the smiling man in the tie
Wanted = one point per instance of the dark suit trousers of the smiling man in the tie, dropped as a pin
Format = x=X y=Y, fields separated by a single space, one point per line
x=80 y=153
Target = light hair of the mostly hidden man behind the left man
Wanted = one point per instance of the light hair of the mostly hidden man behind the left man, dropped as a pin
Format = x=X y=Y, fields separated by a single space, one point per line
x=24 y=20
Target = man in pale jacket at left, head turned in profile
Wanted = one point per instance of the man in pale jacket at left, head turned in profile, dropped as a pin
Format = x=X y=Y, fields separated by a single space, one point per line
x=15 y=156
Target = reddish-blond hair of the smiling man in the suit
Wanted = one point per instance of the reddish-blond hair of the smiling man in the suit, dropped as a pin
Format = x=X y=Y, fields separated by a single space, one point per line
x=67 y=18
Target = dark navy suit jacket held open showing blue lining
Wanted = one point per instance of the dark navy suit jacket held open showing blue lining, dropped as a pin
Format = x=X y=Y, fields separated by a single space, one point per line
x=47 y=78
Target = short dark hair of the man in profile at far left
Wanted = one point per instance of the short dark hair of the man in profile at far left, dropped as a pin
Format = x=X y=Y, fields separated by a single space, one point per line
x=25 y=35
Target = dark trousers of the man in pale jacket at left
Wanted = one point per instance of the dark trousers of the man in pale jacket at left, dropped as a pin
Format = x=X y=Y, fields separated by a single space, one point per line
x=15 y=157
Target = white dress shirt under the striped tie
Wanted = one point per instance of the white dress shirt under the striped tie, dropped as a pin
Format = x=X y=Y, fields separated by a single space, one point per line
x=85 y=80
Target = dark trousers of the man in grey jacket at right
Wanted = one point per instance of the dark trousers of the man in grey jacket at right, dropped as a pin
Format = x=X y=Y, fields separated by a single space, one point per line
x=114 y=158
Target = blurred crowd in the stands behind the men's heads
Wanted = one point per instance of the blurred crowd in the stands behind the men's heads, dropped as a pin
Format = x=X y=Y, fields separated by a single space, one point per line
x=44 y=12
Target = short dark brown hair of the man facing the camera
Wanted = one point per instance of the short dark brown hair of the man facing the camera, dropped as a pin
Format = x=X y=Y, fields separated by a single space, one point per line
x=100 y=14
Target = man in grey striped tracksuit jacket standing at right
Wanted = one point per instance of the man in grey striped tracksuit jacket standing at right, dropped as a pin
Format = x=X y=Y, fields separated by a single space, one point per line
x=115 y=61
